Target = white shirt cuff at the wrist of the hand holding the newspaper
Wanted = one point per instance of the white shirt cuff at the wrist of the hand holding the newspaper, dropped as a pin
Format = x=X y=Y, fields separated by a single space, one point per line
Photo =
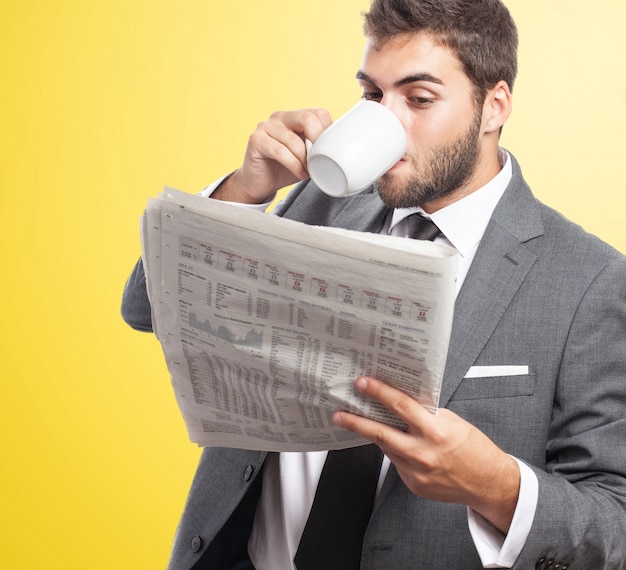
x=495 y=549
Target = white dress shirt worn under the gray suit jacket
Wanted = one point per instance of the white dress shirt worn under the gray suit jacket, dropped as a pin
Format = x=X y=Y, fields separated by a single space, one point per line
x=290 y=479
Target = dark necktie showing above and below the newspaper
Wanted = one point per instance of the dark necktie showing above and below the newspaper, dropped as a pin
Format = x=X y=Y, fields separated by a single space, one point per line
x=333 y=535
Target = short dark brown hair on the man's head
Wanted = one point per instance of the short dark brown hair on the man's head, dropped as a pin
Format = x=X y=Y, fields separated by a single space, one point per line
x=481 y=33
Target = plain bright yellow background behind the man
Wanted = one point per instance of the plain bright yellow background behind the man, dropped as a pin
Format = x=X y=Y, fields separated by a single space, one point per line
x=102 y=104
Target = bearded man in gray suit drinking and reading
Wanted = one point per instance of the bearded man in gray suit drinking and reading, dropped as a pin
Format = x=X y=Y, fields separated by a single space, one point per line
x=525 y=464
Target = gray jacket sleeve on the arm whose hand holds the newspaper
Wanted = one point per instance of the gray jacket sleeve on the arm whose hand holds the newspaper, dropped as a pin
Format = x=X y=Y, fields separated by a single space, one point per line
x=581 y=512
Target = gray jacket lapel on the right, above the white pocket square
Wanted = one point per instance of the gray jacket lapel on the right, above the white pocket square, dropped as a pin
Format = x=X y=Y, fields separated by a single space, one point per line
x=500 y=266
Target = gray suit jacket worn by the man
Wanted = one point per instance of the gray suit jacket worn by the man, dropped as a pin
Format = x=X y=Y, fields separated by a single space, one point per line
x=540 y=292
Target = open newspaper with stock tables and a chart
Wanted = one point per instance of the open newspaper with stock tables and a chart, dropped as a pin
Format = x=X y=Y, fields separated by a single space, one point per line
x=266 y=323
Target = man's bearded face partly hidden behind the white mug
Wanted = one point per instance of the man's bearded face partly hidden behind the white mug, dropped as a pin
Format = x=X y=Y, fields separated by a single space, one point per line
x=425 y=86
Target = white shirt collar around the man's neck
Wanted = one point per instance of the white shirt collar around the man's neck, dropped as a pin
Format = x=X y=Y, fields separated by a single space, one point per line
x=477 y=207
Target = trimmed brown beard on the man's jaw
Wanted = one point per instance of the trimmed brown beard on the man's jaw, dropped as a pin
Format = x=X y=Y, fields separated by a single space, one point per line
x=445 y=169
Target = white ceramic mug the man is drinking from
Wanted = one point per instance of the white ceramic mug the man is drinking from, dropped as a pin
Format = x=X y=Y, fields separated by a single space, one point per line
x=356 y=150
